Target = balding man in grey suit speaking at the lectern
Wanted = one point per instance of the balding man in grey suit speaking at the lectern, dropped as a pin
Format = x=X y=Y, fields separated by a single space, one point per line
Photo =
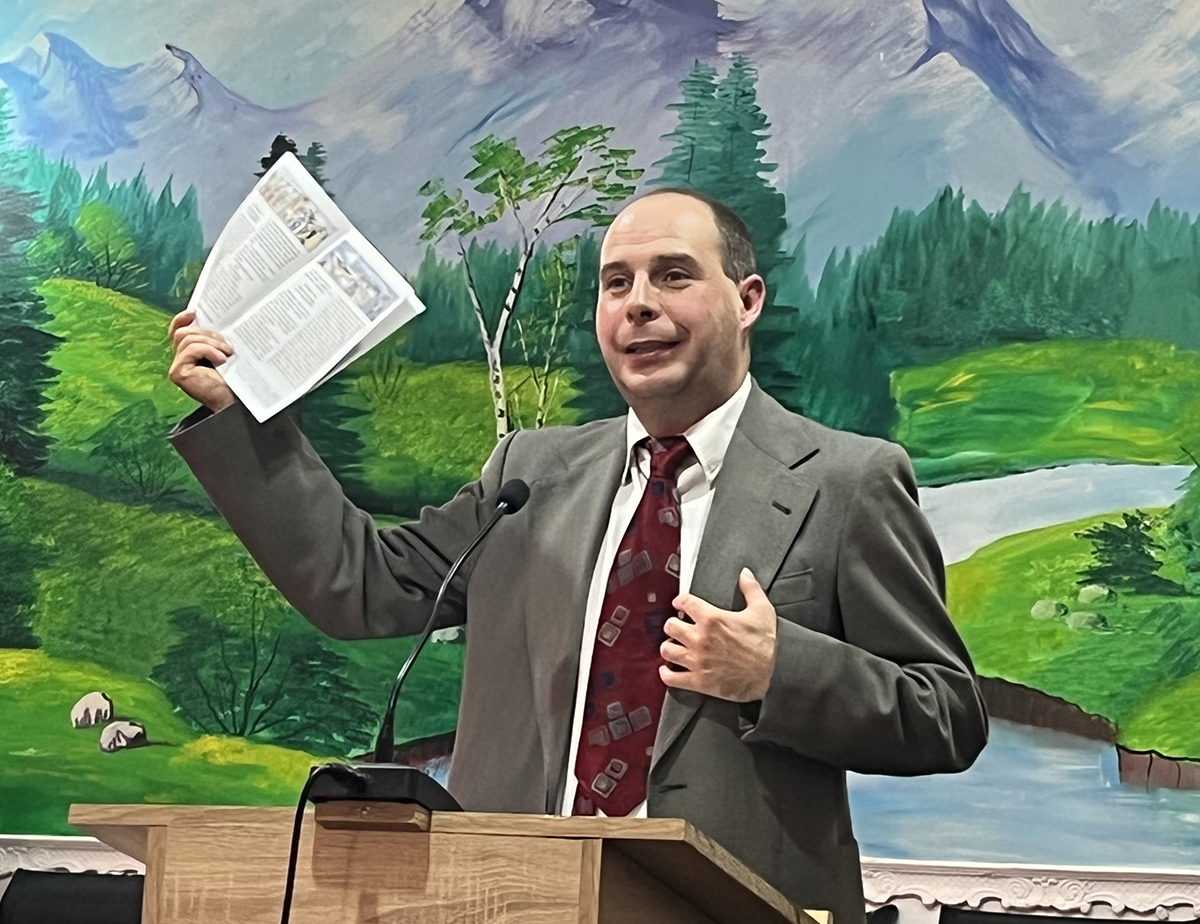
x=715 y=628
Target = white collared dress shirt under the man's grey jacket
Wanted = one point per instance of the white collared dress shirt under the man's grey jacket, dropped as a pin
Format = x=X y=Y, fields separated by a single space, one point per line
x=710 y=439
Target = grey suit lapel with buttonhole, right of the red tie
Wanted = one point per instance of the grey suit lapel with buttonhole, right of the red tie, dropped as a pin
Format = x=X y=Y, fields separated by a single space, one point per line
x=759 y=507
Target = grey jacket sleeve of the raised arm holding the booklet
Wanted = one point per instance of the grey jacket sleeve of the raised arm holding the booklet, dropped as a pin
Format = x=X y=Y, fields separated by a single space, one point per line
x=325 y=555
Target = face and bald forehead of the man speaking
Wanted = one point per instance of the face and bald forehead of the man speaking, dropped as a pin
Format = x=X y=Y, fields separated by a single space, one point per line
x=670 y=322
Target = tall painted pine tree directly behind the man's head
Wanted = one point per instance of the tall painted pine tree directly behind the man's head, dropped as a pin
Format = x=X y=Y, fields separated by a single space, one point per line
x=719 y=152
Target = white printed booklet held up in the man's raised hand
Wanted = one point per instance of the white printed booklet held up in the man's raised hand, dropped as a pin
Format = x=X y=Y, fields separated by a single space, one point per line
x=297 y=290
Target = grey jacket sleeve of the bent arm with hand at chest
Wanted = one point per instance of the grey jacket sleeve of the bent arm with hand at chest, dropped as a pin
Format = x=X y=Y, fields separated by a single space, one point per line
x=899 y=694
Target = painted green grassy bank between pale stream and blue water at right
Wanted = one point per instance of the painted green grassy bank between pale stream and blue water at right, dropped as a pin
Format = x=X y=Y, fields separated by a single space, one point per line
x=1120 y=671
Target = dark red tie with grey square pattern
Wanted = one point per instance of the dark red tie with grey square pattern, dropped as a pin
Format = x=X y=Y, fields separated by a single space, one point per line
x=625 y=695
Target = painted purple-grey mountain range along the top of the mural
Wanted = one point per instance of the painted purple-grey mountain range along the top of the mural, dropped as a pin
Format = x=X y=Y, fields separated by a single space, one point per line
x=874 y=106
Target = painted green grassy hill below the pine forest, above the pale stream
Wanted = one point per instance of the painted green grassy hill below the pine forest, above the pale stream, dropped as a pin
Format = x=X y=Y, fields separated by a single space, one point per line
x=1034 y=405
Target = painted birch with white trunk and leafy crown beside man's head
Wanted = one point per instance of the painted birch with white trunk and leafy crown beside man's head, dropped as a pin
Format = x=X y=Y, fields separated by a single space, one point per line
x=577 y=177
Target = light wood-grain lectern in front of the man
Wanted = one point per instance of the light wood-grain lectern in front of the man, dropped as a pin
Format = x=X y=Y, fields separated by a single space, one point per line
x=389 y=863
